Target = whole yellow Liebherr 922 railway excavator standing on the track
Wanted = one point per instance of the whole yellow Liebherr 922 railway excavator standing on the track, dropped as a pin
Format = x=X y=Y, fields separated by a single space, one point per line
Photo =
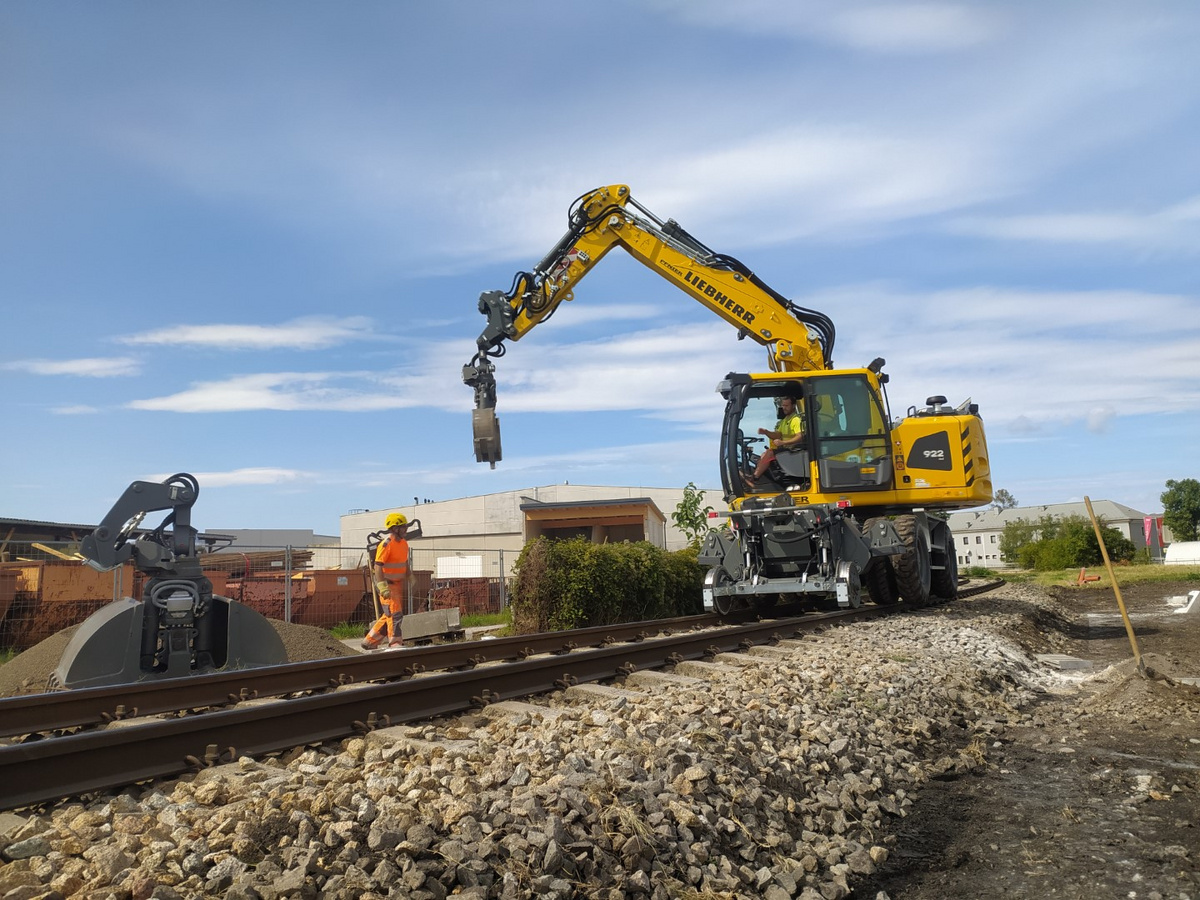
x=855 y=508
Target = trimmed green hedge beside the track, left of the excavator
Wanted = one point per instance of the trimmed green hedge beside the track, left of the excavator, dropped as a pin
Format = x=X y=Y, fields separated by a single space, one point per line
x=575 y=584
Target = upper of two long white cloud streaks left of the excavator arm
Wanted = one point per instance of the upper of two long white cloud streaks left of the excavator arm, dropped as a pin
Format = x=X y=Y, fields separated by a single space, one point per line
x=313 y=333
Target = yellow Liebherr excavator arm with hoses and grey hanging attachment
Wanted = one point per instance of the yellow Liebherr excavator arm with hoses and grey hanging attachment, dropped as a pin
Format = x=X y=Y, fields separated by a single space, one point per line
x=797 y=340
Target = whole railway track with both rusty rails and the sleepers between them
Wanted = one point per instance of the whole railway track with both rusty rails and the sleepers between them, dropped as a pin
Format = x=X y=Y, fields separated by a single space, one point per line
x=259 y=712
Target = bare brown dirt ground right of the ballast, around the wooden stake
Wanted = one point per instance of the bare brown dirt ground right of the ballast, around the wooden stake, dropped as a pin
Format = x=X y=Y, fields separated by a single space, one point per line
x=1097 y=793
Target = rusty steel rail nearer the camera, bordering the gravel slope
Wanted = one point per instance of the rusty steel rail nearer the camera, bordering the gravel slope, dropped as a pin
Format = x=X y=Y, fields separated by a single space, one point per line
x=45 y=771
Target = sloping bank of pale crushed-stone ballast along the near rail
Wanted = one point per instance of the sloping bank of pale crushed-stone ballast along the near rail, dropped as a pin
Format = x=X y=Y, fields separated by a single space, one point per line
x=779 y=776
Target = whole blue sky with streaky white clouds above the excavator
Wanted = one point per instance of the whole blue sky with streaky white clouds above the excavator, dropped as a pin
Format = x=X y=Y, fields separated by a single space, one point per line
x=247 y=241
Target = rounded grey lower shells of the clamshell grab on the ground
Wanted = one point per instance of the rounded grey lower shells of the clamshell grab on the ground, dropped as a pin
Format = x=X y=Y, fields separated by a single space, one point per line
x=110 y=646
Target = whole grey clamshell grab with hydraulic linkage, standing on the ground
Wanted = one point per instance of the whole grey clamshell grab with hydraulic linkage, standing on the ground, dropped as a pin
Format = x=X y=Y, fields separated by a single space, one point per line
x=179 y=627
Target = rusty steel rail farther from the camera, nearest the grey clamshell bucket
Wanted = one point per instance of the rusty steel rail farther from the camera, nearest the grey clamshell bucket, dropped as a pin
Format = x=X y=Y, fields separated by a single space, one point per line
x=88 y=707
